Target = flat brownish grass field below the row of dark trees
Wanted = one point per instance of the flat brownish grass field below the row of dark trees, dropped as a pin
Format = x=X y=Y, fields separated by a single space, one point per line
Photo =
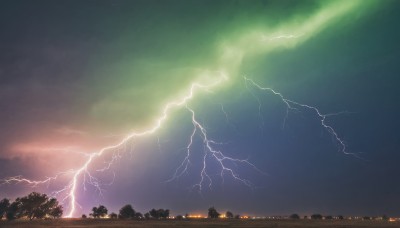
x=197 y=223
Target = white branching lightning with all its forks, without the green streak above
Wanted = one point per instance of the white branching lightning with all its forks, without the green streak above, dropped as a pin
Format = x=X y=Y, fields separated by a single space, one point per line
x=218 y=156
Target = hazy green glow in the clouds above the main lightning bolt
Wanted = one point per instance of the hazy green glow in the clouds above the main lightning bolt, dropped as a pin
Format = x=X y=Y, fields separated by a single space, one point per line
x=156 y=60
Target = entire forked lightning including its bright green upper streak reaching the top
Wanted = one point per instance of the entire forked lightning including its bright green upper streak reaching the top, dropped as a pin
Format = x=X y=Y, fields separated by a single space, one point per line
x=230 y=62
